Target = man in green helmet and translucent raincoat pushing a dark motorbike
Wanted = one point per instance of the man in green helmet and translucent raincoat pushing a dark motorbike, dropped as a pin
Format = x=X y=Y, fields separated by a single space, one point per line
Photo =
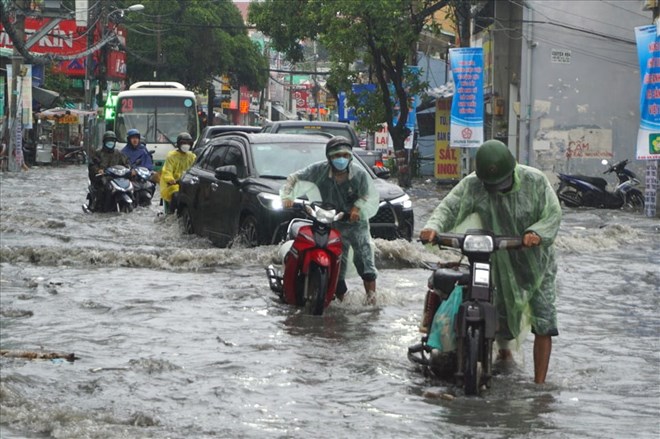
x=514 y=200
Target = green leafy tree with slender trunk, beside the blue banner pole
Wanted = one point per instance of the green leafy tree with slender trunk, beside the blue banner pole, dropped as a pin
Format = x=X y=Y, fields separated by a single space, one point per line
x=381 y=33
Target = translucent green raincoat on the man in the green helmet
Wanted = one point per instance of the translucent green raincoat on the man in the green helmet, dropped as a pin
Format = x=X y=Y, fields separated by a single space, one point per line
x=524 y=279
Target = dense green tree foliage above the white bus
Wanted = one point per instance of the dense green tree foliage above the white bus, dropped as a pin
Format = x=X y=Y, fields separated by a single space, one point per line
x=191 y=41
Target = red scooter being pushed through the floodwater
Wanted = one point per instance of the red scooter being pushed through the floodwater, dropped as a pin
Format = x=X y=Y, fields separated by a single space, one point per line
x=312 y=258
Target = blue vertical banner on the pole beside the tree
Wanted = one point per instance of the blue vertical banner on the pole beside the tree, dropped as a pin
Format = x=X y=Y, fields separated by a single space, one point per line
x=467 y=107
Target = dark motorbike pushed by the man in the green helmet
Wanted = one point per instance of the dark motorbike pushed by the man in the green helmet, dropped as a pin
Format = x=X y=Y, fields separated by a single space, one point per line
x=476 y=318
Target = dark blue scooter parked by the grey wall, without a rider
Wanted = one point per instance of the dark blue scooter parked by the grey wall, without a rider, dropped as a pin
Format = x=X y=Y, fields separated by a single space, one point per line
x=580 y=190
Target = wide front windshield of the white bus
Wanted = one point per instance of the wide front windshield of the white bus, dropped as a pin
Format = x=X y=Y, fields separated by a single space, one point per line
x=158 y=118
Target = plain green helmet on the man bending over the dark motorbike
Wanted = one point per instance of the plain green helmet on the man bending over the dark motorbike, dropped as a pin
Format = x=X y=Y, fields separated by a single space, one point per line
x=495 y=165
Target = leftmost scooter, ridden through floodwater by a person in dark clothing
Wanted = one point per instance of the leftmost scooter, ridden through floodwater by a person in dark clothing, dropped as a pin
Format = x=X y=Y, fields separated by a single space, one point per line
x=119 y=185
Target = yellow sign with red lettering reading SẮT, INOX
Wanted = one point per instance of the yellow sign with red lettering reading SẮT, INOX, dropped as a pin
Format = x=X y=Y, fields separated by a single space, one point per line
x=447 y=159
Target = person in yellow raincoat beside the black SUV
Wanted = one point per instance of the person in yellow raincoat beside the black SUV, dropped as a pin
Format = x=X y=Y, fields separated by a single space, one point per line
x=176 y=163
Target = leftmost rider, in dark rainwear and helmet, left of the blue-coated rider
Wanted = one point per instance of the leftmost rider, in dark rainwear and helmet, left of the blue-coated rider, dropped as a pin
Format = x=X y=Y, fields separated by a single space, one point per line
x=100 y=198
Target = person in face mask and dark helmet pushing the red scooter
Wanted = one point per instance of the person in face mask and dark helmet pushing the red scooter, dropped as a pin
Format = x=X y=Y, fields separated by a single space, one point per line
x=351 y=189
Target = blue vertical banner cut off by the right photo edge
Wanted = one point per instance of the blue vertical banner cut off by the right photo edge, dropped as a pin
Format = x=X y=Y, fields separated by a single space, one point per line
x=648 y=52
